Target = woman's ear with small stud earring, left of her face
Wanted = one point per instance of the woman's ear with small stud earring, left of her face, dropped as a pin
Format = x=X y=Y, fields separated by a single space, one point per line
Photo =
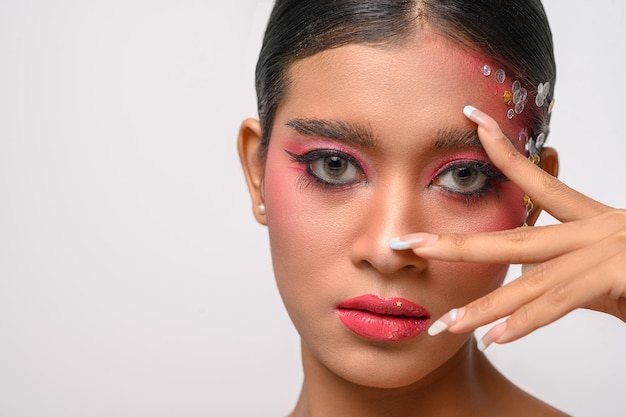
x=253 y=168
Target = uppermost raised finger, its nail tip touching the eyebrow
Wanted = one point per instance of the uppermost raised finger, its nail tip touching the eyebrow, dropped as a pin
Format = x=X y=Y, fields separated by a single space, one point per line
x=547 y=191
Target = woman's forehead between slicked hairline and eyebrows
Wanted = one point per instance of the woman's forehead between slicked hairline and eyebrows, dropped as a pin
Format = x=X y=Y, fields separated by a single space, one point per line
x=427 y=79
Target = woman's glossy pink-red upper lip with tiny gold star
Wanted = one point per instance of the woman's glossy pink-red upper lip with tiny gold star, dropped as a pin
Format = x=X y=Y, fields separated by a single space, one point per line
x=393 y=306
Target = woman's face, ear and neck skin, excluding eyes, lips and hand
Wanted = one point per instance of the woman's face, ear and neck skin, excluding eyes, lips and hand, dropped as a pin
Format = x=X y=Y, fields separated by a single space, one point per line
x=331 y=244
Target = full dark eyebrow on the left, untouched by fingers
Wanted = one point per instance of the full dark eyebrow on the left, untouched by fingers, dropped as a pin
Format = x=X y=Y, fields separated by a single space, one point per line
x=348 y=133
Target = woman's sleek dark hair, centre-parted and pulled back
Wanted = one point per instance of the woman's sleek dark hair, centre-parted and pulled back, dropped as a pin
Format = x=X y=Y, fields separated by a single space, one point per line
x=515 y=34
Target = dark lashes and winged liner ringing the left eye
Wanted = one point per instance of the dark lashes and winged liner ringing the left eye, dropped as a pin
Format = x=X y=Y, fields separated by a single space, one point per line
x=311 y=178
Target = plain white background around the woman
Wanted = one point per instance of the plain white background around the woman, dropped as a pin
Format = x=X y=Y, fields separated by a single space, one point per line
x=133 y=279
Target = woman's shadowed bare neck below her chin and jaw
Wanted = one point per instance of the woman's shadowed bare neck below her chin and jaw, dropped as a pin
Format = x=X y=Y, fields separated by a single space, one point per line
x=467 y=382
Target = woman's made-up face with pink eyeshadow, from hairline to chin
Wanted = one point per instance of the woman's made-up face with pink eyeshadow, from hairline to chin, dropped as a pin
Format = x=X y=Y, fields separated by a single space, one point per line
x=368 y=144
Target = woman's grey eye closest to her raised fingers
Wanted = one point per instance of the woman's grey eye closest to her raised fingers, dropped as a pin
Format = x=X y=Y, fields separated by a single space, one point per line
x=468 y=178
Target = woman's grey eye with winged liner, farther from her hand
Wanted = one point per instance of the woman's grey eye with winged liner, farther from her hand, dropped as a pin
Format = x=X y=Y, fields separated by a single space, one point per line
x=331 y=167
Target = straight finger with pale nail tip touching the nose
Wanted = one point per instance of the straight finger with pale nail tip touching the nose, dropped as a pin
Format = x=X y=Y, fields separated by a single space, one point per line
x=514 y=246
